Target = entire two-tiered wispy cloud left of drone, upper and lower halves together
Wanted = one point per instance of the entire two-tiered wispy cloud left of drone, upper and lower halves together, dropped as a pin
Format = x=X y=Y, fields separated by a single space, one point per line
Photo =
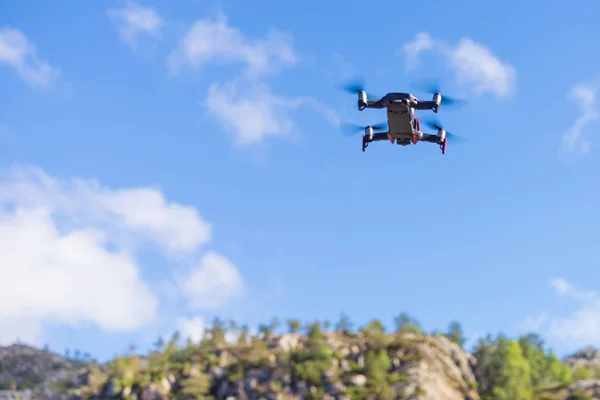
x=244 y=105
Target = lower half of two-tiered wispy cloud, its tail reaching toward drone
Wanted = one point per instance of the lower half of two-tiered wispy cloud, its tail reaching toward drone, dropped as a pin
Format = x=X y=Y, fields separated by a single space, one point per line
x=251 y=113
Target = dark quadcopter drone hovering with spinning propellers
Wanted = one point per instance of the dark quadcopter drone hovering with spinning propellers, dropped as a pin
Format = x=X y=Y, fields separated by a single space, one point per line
x=403 y=125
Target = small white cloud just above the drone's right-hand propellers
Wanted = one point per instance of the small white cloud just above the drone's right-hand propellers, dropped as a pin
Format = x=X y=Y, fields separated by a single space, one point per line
x=474 y=64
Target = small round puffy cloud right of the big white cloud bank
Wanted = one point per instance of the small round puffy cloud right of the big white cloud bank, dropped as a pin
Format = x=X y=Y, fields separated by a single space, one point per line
x=213 y=282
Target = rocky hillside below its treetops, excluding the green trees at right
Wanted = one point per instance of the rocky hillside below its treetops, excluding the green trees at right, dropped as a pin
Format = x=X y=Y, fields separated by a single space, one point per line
x=291 y=366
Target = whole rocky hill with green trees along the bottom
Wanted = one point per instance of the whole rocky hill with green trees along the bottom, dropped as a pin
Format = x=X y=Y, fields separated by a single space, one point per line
x=369 y=364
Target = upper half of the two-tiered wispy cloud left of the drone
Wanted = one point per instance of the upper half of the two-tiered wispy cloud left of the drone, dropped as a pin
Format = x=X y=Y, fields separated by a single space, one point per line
x=217 y=41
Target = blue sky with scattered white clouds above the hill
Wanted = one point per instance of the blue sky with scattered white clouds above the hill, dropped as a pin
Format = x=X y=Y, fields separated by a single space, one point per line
x=167 y=163
